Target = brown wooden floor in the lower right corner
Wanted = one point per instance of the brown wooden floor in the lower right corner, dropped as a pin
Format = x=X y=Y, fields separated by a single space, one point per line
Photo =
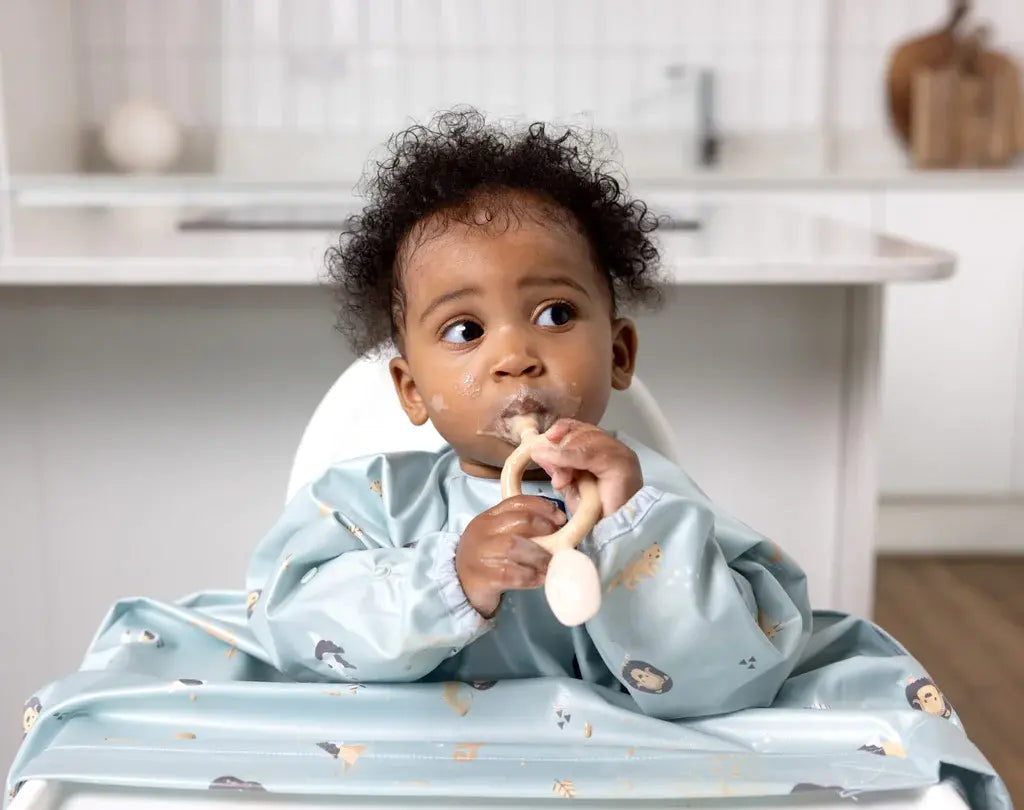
x=964 y=620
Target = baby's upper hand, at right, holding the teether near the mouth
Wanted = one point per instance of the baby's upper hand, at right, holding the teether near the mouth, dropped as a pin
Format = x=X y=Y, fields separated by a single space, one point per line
x=577 y=446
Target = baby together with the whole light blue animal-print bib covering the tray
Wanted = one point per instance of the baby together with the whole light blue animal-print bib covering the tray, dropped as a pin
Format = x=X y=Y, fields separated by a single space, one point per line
x=499 y=267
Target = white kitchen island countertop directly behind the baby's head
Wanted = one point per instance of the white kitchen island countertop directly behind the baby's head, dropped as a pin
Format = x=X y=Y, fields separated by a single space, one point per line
x=143 y=246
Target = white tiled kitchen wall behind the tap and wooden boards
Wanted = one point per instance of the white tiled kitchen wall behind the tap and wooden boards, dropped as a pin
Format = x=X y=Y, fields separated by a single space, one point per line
x=798 y=86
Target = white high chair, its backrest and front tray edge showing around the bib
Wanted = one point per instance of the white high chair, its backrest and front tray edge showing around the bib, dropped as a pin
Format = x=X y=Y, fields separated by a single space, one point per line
x=360 y=415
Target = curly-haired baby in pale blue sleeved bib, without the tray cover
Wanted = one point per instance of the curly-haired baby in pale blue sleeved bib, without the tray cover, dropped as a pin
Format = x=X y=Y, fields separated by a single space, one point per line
x=498 y=265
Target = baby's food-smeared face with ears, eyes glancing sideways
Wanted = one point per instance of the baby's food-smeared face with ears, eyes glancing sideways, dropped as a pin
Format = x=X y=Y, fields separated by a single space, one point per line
x=507 y=317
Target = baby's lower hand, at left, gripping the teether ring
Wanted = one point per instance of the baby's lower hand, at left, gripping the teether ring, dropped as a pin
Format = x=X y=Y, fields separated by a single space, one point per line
x=497 y=553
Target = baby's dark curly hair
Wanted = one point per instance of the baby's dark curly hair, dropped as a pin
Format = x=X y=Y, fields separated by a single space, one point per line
x=442 y=168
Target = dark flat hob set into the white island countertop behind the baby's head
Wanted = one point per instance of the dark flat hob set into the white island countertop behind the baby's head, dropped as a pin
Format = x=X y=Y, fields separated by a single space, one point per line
x=319 y=219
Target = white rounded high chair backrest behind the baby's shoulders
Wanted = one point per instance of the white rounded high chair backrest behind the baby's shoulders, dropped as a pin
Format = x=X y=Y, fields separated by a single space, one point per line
x=360 y=415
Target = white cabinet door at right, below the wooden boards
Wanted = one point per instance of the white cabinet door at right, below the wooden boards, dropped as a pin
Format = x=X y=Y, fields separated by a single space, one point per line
x=951 y=380
